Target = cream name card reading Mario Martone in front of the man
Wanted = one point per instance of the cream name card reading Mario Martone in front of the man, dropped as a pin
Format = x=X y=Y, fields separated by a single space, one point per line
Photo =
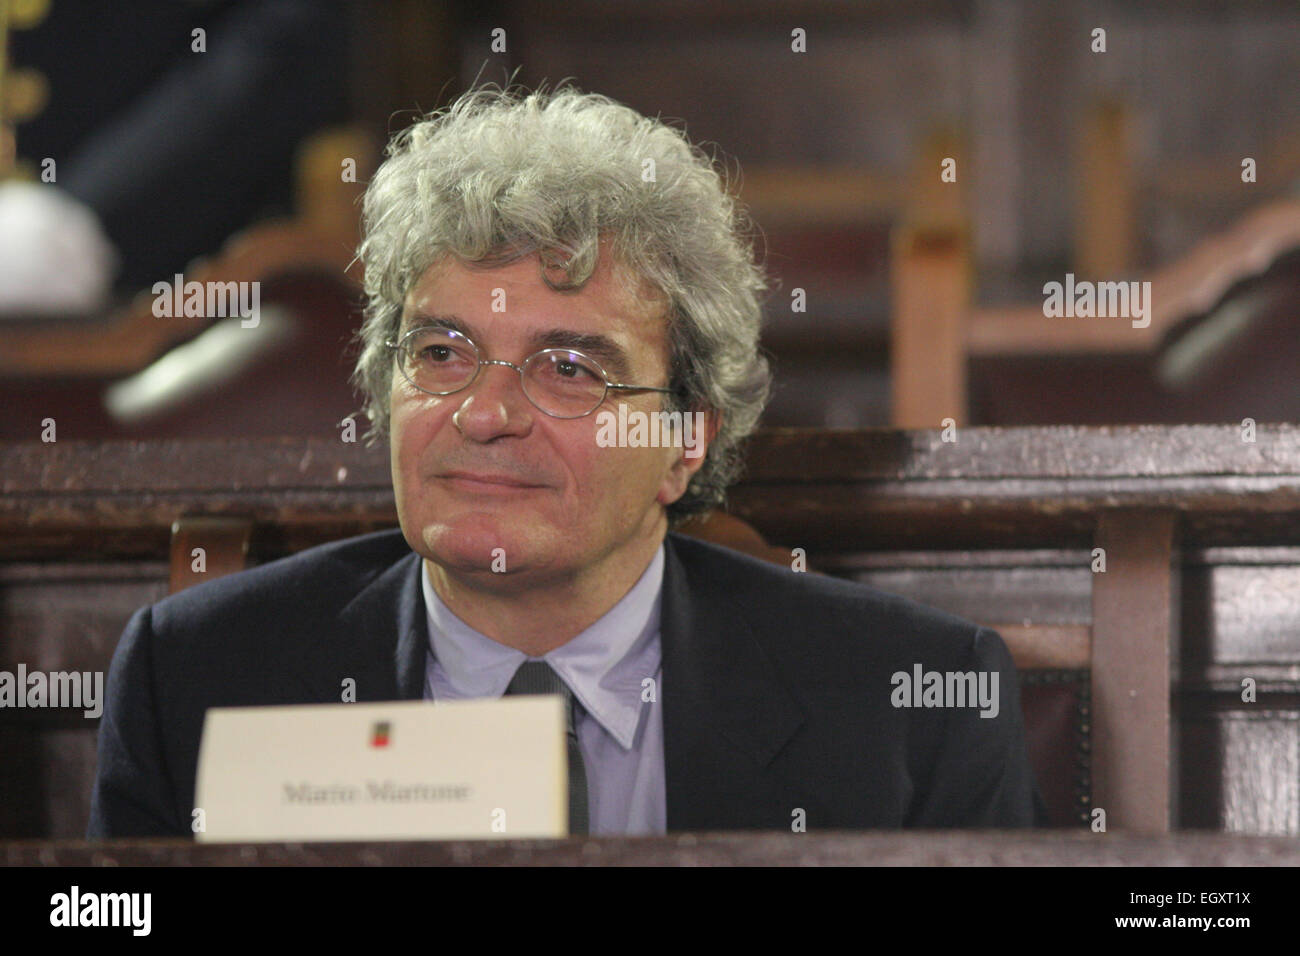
x=408 y=771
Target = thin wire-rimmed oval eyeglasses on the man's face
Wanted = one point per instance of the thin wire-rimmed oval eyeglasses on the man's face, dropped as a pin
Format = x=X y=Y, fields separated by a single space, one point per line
x=562 y=383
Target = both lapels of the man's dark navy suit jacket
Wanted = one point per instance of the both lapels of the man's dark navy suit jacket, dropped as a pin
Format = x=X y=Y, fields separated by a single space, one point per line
x=726 y=713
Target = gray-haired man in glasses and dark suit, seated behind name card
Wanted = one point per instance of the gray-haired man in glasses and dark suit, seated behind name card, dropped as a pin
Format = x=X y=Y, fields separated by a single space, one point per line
x=534 y=263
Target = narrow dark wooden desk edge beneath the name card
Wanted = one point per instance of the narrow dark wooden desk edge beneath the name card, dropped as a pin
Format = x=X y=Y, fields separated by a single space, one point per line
x=848 y=849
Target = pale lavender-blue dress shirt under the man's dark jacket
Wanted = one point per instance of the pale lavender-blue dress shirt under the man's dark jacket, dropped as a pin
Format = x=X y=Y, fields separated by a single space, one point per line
x=609 y=668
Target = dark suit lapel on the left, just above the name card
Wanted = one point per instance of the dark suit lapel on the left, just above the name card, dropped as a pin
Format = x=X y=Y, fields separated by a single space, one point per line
x=380 y=641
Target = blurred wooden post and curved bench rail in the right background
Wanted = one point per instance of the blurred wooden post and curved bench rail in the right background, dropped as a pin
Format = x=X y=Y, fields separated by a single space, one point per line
x=938 y=331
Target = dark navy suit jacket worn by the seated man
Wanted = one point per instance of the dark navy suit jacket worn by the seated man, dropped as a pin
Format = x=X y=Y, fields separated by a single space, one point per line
x=777 y=690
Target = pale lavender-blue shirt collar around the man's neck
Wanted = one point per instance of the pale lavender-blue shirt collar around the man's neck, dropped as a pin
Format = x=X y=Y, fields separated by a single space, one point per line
x=604 y=667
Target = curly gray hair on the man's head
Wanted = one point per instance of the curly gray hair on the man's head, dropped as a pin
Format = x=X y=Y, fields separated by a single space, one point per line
x=505 y=174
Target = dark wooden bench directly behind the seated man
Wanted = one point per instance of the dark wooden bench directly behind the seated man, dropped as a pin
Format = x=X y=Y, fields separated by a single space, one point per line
x=1198 y=529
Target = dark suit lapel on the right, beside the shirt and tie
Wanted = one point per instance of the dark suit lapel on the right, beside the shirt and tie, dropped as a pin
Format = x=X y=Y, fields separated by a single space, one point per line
x=726 y=712
